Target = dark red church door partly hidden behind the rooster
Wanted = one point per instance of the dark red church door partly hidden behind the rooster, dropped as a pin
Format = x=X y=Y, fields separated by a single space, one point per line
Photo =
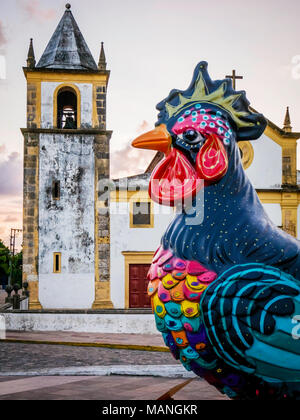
x=138 y=297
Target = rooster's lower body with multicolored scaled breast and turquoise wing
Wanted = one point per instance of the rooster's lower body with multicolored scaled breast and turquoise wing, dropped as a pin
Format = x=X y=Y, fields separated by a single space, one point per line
x=235 y=330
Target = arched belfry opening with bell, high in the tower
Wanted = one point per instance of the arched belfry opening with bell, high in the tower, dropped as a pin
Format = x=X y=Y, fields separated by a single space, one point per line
x=67 y=108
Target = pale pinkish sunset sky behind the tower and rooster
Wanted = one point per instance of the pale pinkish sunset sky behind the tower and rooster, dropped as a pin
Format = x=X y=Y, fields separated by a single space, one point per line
x=151 y=47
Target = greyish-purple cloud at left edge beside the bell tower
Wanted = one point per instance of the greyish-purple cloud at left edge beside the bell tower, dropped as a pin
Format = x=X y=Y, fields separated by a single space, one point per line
x=11 y=175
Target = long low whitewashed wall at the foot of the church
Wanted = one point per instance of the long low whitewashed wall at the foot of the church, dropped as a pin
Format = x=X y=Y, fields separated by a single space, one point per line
x=81 y=322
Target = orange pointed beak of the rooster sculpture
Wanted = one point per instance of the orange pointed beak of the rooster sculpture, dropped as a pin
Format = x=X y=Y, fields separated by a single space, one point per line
x=157 y=139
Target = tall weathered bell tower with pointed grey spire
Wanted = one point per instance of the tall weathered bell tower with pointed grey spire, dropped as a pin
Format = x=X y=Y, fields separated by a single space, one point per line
x=66 y=153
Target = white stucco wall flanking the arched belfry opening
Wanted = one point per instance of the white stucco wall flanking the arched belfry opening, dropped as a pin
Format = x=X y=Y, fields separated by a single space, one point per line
x=47 y=95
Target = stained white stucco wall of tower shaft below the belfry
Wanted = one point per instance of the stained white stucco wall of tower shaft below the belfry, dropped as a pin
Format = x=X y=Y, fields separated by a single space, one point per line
x=66 y=225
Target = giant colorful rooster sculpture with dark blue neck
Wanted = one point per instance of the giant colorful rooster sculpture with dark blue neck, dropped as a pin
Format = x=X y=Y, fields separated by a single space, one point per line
x=225 y=289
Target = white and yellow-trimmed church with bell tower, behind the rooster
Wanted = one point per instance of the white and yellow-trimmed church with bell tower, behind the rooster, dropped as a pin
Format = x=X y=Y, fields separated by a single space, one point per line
x=84 y=249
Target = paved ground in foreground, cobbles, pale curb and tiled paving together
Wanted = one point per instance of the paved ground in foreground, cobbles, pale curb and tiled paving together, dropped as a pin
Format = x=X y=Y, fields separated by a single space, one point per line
x=19 y=360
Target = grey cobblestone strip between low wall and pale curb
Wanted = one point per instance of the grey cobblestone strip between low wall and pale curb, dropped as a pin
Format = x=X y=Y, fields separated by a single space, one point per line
x=16 y=357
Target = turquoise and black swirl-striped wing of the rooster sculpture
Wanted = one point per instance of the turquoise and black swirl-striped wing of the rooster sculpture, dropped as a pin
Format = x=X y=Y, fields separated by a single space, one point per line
x=242 y=308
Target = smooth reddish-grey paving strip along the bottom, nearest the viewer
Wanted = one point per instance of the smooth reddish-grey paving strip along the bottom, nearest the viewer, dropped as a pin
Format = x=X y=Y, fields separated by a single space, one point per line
x=104 y=388
